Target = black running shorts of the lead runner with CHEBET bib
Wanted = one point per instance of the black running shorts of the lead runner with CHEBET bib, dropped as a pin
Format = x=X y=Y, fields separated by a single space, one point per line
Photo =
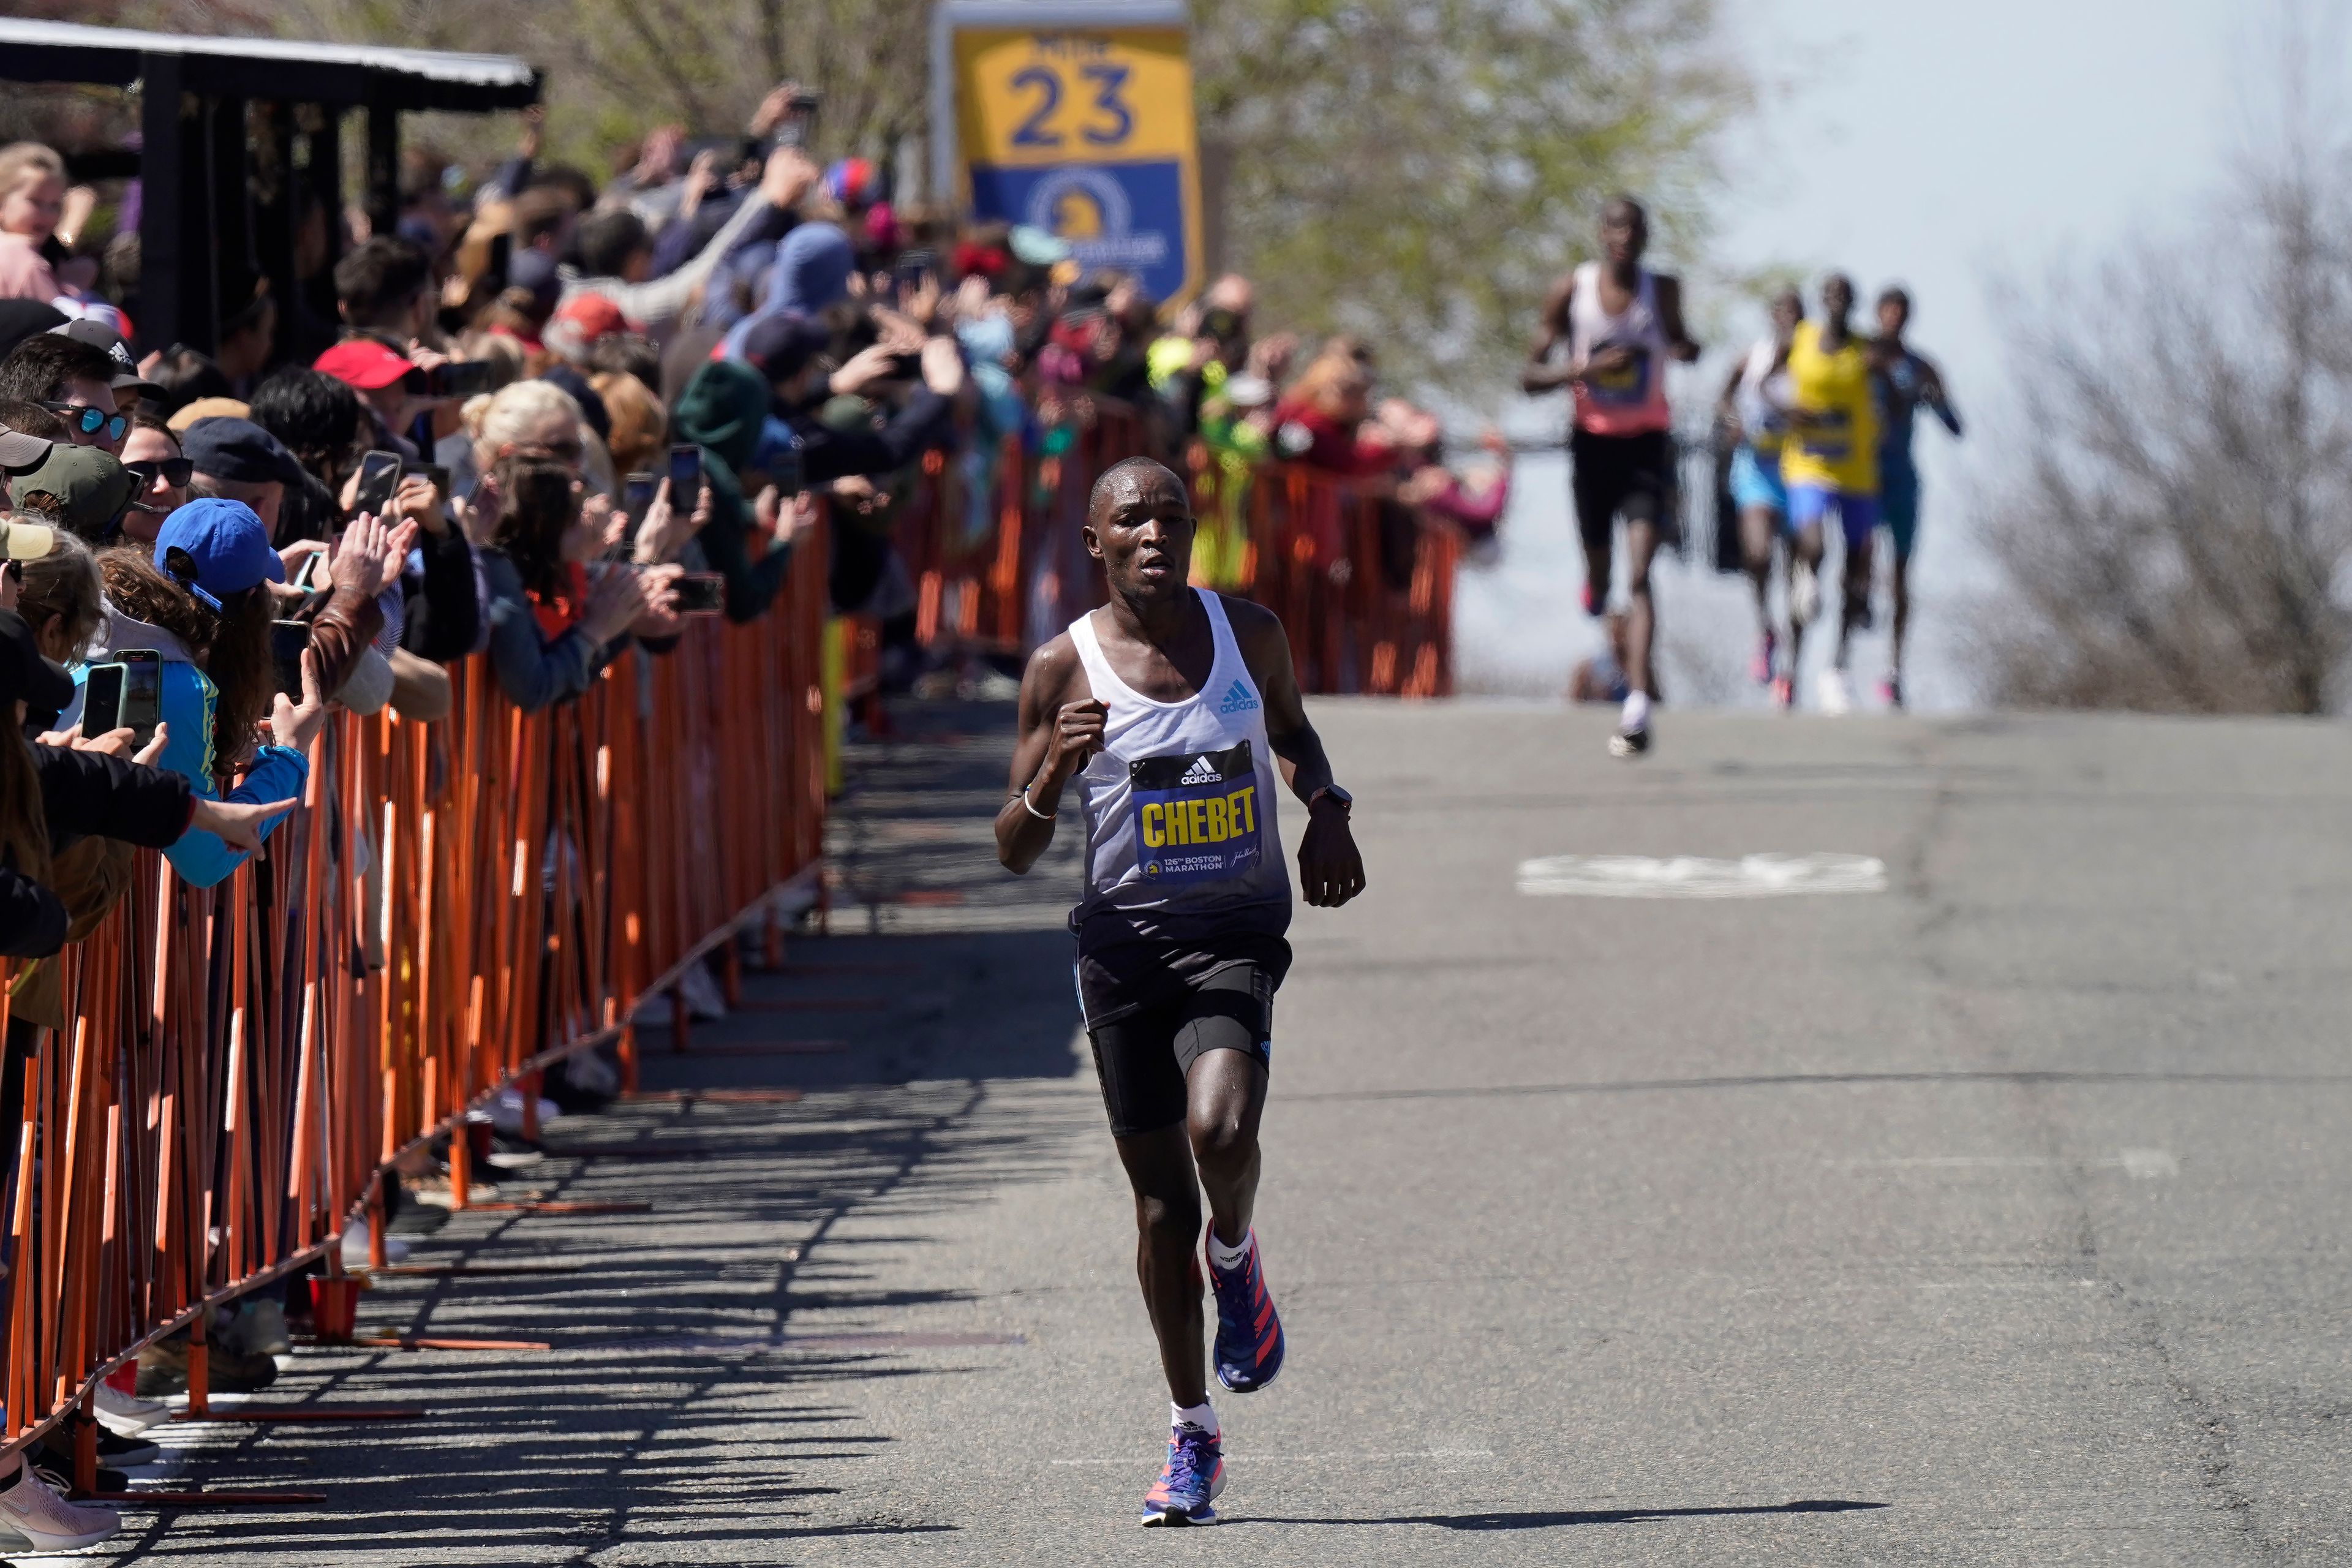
x=1147 y=1054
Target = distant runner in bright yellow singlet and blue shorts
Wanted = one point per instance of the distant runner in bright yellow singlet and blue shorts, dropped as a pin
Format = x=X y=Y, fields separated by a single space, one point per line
x=1831 y=464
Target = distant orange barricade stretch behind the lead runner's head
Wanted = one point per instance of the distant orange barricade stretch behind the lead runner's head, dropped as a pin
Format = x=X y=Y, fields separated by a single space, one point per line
x=1363 y=584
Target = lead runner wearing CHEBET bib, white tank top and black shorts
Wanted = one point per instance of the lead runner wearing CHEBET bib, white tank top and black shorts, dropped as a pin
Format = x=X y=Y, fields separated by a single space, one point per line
x=1170 y=709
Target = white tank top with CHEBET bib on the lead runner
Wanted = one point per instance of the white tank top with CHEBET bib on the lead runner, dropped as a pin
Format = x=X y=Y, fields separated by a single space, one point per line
x=1180 y=803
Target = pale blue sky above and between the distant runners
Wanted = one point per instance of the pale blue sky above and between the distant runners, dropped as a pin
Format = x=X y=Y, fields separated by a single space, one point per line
x=1951 y=149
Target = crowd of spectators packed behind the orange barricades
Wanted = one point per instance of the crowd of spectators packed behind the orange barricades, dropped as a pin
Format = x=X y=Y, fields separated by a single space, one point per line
x=549 y=424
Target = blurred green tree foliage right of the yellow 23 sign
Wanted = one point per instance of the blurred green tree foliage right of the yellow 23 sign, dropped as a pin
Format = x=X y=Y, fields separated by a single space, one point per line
x=1419 y=170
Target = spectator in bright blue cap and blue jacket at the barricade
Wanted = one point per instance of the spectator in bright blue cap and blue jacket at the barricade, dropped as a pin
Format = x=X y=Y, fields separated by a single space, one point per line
x=201 y=598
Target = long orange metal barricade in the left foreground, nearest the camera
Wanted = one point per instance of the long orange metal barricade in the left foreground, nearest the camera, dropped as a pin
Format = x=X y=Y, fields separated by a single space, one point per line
x=460 y=906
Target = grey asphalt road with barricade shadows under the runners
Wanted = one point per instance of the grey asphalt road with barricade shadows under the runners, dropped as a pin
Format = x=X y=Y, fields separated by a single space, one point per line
x=1986 y=1219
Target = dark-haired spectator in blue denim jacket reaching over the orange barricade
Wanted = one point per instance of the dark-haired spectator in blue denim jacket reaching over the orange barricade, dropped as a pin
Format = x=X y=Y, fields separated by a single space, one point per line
x=554 y=624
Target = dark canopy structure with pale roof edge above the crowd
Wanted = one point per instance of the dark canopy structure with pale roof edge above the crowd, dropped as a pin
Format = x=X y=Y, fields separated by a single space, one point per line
x=241 y=154
